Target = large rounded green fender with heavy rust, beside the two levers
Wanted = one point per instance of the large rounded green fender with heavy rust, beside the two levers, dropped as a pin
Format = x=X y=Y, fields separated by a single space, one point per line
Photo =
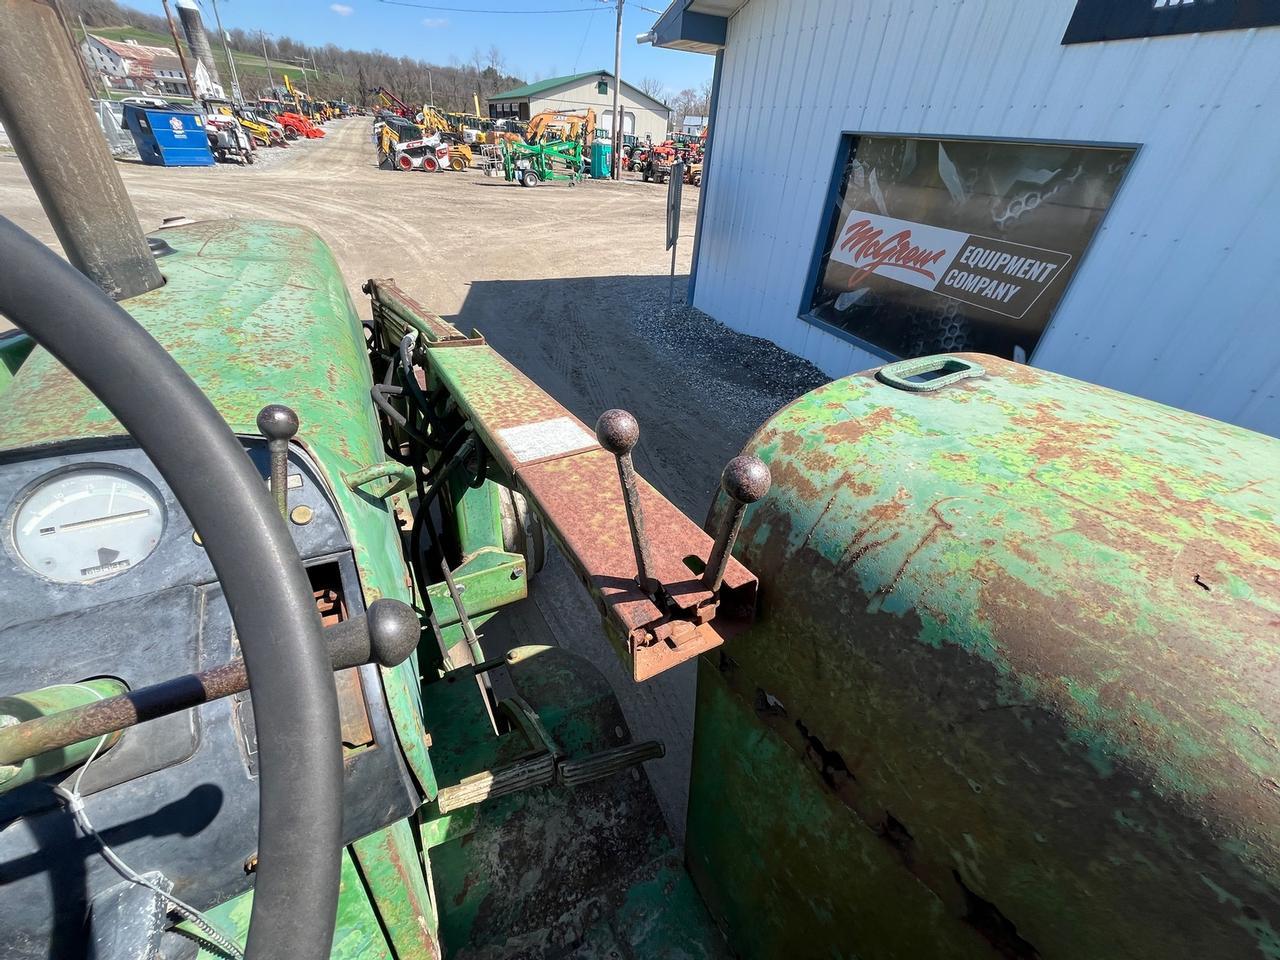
x=1013 y=688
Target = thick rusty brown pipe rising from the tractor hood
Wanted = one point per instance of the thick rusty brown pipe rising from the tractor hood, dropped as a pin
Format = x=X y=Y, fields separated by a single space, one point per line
x=62 y=148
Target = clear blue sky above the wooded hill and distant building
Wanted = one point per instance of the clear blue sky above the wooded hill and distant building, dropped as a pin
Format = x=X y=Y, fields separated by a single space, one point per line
x=534 y=44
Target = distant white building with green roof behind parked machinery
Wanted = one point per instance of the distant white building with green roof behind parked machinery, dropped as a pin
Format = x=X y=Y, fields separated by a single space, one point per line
x=642 y=115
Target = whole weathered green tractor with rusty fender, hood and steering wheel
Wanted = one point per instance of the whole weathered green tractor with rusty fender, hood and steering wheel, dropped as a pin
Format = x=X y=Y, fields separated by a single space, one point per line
x=988 y=659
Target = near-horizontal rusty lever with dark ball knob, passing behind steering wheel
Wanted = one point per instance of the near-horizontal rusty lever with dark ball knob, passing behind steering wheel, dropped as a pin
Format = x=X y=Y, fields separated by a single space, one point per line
x=387 y=636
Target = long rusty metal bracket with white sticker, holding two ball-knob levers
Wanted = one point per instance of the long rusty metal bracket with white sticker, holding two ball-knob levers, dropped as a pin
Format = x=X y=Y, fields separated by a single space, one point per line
x=574 y=484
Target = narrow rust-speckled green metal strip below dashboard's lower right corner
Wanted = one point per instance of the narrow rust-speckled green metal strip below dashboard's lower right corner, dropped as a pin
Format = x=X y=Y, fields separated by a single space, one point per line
x=394 y=876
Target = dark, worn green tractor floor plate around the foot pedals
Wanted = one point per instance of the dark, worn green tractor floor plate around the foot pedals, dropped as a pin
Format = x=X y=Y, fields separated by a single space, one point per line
x=552 y=871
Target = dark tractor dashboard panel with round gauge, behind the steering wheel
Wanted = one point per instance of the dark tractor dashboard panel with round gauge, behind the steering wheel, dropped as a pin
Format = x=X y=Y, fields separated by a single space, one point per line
x=102 y=575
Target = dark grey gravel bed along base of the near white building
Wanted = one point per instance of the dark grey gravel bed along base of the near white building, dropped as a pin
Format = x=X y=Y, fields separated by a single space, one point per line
x=746 y=377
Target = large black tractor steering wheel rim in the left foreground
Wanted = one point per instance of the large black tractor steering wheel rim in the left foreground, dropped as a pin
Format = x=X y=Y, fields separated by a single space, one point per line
x=257 y=563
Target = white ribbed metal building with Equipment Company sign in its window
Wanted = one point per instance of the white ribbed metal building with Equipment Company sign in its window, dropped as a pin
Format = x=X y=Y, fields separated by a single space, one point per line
x=1139 y=159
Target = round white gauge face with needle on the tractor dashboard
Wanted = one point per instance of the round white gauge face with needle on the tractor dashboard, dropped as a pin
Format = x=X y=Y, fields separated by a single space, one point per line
x=88 y=524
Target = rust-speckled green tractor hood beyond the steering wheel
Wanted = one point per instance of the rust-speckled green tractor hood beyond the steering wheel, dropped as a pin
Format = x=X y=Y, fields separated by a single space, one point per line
x=255 y=312
